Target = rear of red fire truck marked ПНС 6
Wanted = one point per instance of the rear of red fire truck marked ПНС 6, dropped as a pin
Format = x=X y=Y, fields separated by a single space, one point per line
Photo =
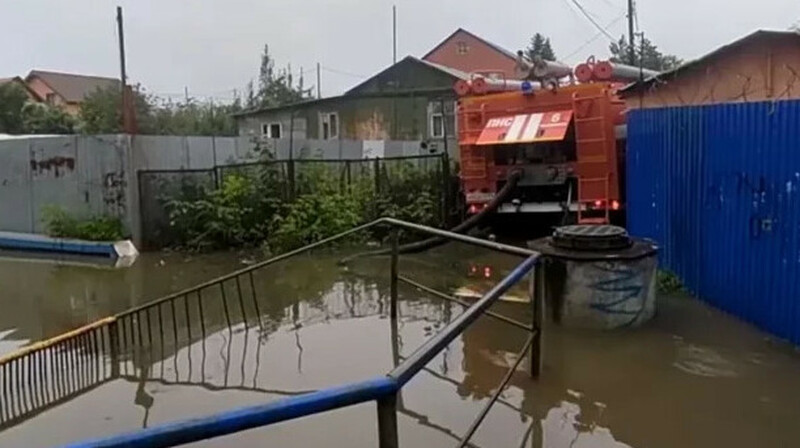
x=563 y=140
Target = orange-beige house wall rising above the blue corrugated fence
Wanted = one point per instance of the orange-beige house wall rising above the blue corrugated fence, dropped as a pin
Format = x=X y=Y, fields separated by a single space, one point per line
x=761 y=69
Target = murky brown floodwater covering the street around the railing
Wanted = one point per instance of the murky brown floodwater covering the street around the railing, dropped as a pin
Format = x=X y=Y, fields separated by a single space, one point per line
x=693 y=377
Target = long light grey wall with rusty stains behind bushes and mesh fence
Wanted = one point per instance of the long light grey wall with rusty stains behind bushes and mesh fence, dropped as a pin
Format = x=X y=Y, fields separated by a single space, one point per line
x=97 y=175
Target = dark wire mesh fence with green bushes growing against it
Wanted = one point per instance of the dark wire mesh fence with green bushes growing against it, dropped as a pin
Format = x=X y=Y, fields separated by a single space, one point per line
x=398 y=181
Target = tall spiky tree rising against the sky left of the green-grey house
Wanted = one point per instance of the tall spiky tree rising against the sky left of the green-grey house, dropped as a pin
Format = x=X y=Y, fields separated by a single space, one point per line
x=277 y=88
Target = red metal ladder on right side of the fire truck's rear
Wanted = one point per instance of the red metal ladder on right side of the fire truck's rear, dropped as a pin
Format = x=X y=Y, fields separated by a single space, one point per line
x=593 y=158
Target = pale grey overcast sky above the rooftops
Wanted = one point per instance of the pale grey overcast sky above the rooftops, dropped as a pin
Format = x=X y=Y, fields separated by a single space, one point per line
x=212 y=47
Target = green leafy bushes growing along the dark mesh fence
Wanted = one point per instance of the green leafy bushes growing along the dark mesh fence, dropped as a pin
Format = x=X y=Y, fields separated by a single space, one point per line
x=256 y=206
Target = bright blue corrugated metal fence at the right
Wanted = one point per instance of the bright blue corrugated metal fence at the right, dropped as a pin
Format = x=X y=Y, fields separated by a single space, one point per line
x=719 y=188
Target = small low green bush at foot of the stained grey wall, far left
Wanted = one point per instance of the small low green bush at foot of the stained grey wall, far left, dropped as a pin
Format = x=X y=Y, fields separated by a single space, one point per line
x=61 y=224
